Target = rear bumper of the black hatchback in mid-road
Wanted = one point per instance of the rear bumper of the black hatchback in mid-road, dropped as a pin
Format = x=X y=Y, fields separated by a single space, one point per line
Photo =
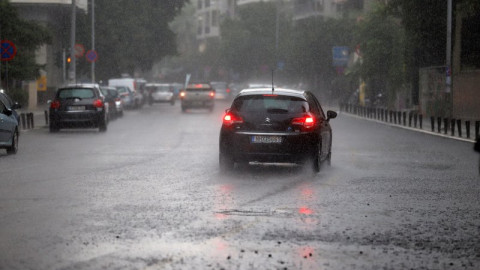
x=294 y=147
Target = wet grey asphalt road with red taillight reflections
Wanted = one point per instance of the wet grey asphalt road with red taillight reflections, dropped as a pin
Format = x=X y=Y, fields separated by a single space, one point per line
x=147 y=194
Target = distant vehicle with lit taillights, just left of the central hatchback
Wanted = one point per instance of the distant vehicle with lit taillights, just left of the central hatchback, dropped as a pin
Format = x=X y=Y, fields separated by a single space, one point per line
x=198 y=95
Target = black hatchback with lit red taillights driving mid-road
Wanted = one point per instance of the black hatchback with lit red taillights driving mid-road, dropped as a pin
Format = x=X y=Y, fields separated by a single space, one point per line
x=275 y=126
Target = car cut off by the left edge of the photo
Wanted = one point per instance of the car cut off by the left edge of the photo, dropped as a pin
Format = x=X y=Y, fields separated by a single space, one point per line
x=9 y=134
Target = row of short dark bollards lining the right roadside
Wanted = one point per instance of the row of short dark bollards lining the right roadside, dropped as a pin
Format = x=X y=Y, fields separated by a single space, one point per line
x=447 y=126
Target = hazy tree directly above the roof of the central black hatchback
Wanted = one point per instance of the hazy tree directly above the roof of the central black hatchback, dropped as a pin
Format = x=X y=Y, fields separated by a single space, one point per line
x=248 y=42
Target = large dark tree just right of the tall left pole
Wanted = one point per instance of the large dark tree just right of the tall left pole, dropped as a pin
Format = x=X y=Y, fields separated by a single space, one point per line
x=132 y=35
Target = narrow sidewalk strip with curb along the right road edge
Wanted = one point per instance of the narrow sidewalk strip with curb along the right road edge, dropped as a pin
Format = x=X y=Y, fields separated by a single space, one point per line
x=423 y=125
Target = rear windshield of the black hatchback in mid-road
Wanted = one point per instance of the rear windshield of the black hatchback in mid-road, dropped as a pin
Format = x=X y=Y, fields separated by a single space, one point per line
x=270 y=103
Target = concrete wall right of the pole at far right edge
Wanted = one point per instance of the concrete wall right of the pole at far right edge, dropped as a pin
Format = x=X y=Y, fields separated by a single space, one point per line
x=466 y=95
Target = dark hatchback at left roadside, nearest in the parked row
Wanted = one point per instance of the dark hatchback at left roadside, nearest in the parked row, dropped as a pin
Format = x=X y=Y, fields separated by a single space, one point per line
x=79 y=106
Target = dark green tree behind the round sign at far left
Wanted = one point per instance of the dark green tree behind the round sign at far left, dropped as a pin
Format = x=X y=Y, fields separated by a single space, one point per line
x=28 y=37
